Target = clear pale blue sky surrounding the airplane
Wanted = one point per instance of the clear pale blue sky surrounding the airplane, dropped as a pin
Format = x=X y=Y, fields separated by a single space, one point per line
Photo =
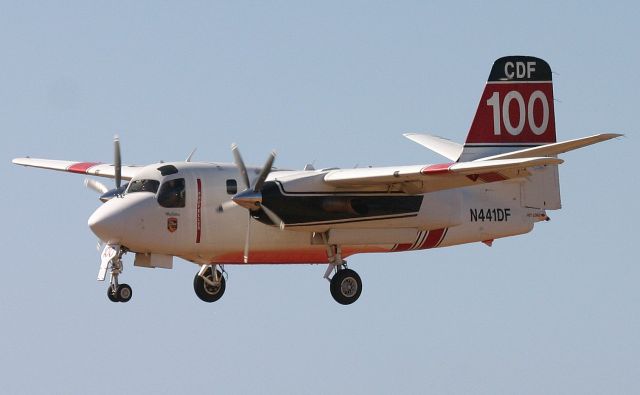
x=555 y=311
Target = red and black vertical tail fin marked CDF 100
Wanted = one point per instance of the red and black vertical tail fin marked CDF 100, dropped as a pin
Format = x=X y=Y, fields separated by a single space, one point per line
x=515 y=110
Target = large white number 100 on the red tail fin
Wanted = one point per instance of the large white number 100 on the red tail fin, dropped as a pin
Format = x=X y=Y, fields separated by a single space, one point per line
x=525 y=112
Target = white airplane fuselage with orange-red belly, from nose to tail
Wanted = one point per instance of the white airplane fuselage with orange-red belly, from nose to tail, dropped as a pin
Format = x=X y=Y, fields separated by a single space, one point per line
x=198 y=232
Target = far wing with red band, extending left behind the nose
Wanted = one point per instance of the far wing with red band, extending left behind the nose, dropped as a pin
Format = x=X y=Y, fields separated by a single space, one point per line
x=90 y=168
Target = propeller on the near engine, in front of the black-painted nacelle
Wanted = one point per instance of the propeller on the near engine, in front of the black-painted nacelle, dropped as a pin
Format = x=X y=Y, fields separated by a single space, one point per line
x=251 y=197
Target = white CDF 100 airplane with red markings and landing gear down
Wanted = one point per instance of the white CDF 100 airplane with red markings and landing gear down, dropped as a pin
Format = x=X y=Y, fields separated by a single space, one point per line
x=499 y=183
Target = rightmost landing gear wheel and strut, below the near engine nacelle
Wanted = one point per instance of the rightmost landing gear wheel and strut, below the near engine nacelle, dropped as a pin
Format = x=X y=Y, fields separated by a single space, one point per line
x=345 y=285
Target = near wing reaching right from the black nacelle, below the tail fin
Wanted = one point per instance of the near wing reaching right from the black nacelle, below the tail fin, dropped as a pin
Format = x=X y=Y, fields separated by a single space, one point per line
x=421 y=179
